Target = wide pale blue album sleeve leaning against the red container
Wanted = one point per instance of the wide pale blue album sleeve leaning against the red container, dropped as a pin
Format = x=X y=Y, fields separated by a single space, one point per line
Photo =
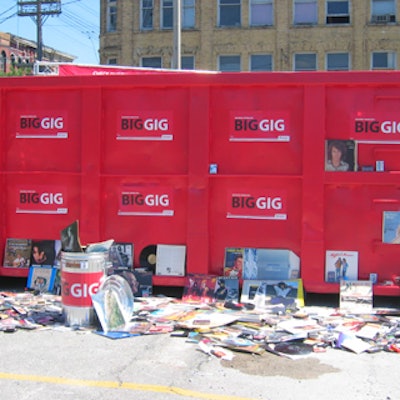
x=270 y=264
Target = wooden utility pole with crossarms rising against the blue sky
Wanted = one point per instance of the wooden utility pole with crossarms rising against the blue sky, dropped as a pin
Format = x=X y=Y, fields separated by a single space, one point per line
x=37 y=9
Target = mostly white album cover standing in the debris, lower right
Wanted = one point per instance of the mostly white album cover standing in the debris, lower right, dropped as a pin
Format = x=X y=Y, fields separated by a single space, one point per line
x=356 y=296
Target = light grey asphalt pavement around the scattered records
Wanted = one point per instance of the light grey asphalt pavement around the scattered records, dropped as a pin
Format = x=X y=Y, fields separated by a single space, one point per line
x=66 y=364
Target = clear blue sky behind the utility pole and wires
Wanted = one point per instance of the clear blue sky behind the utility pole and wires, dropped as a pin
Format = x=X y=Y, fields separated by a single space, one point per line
x=75 y=31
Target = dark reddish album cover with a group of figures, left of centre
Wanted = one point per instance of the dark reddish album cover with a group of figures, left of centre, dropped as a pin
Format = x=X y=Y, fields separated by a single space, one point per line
x=199 y=288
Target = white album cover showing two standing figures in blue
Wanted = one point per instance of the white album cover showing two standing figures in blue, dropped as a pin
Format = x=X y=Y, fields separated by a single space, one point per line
x=341 y=265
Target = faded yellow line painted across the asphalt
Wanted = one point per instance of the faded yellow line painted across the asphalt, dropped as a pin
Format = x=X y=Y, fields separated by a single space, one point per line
x=119 y=385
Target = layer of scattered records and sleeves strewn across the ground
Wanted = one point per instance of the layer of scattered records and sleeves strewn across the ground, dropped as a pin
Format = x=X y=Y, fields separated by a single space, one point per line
x=224 y=329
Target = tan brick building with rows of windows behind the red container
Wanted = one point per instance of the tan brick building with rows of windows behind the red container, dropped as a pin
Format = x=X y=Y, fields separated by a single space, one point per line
x=253 y=35
